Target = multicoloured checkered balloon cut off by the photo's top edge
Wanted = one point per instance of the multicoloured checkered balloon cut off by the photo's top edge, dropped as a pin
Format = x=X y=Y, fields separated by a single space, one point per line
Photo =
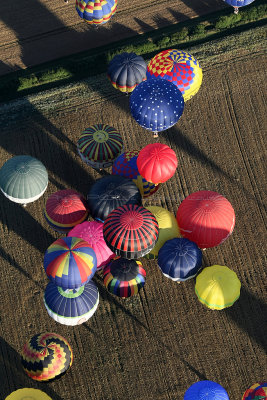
x=96 y=12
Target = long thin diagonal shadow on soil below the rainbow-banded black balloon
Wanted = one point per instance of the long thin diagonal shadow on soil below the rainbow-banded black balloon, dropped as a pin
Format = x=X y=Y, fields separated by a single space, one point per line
x=106 y=295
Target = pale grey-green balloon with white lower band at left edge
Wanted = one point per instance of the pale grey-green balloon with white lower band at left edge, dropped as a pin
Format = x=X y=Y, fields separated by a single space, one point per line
x=23 y=179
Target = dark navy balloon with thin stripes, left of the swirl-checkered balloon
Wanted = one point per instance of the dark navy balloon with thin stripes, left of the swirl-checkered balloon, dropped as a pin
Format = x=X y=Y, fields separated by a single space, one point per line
x=126 y=71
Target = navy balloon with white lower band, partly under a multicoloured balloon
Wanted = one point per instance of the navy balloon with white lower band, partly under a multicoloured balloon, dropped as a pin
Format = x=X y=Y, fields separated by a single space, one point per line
x=72 y=306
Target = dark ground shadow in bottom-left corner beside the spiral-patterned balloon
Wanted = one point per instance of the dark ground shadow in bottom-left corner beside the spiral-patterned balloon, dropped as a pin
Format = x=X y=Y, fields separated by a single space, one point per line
x=13 y=376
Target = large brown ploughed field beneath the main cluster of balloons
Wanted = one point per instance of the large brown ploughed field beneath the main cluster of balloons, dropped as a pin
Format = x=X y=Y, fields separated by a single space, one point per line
x=152 y=346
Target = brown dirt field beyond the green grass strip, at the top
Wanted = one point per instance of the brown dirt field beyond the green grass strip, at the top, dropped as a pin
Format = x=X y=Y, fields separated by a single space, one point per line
x=33 y=32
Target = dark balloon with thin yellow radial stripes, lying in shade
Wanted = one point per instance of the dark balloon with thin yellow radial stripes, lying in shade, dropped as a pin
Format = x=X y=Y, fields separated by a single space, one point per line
x=99 y=145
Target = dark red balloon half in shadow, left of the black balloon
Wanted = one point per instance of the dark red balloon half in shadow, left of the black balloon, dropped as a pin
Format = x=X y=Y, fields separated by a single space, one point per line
x=65 y=209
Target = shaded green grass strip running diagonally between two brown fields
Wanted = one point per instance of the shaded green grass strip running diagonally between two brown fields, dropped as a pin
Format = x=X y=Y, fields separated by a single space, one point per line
x=93 y=62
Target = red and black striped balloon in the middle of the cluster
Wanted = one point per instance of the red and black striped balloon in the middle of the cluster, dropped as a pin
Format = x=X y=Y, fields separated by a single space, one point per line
x=131 y=231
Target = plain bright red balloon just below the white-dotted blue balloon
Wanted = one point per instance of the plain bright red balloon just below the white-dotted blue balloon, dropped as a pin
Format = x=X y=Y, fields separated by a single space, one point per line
x=157 y=162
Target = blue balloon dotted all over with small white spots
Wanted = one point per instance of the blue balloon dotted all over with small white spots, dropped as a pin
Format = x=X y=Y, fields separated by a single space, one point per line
x=156 y=104
